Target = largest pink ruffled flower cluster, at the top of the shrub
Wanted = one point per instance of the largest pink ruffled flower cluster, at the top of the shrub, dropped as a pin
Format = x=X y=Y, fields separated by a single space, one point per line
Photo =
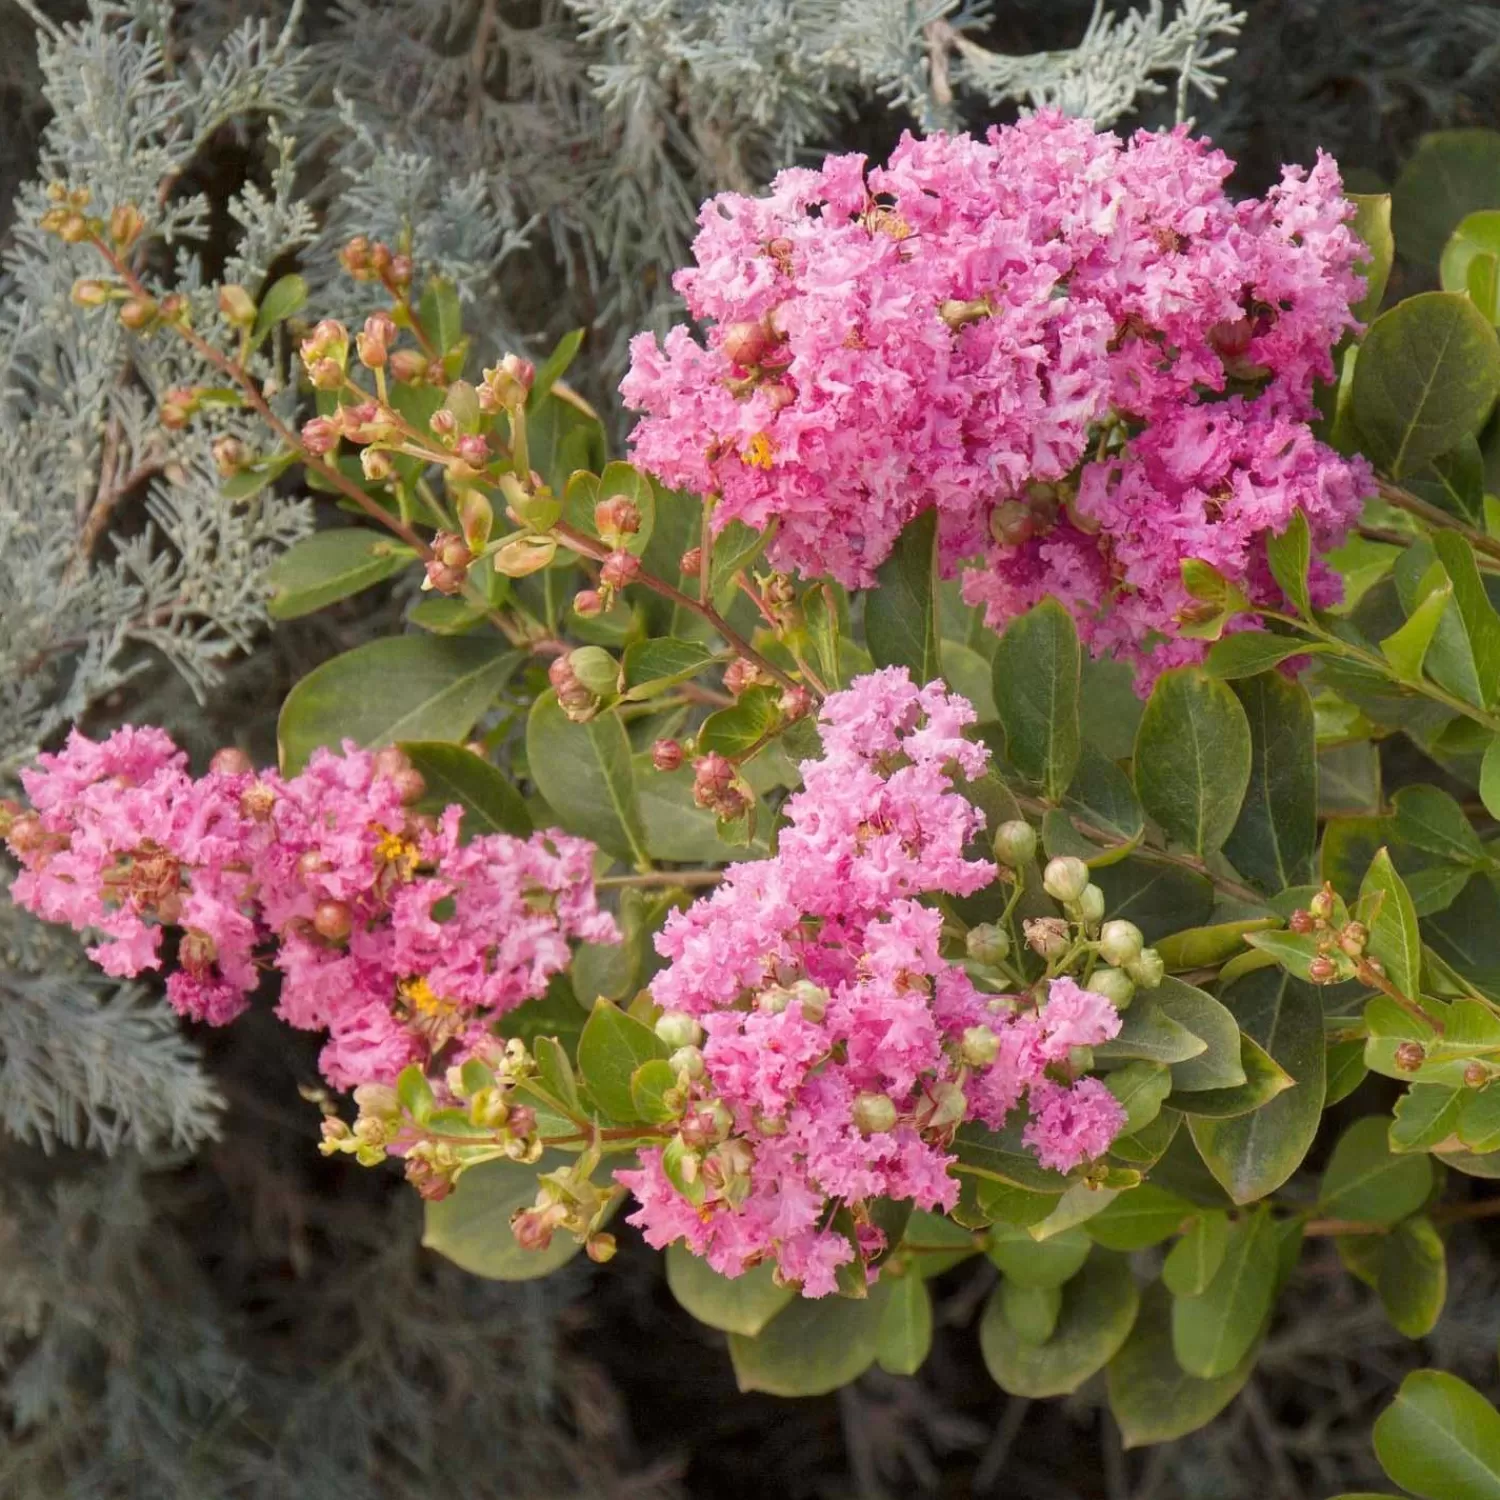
x=1034 y=335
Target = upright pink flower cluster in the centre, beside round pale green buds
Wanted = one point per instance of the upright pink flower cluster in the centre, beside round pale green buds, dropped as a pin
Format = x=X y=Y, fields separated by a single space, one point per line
x=841 y=1049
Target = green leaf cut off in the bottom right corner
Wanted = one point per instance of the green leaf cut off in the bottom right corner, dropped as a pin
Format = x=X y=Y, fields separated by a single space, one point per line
x=1441 y=1439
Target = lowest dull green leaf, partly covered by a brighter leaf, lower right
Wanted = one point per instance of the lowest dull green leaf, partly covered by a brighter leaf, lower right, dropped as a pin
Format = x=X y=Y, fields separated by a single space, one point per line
x=1153 y=1399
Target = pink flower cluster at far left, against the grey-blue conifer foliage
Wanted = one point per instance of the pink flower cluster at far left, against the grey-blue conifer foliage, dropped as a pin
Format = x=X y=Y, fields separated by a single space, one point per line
x=389 y=932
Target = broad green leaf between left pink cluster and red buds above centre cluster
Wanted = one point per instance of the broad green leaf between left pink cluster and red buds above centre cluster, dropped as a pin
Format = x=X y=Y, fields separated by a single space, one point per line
x=587 y=776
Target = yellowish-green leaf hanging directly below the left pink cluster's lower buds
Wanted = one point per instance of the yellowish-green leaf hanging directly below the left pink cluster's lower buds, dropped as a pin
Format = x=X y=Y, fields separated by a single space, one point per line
x=472 y=1226
